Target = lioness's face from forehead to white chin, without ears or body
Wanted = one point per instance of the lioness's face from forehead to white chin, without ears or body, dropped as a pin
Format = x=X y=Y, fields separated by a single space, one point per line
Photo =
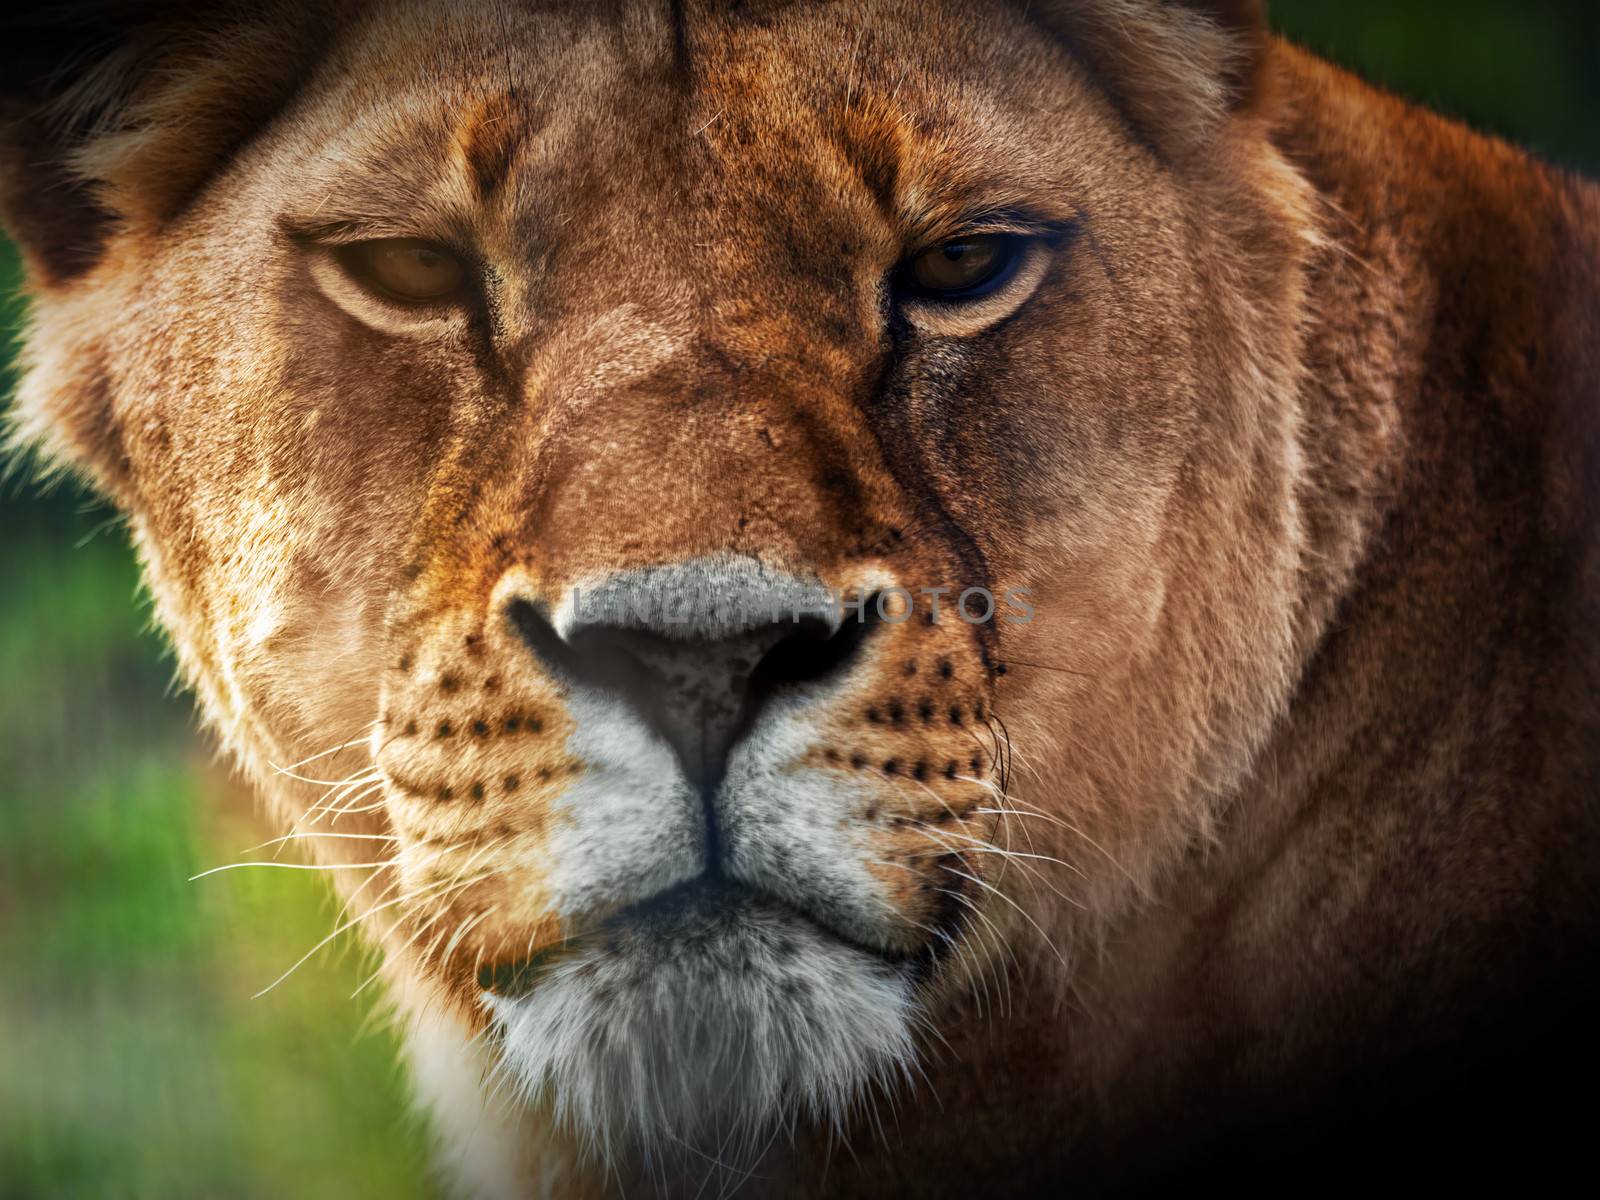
x=591 y=417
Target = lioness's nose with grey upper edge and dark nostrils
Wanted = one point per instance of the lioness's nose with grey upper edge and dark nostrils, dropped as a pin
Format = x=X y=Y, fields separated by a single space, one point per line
x=698 y=649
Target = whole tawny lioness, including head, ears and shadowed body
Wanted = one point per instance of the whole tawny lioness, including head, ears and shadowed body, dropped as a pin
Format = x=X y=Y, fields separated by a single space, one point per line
x=918 y=598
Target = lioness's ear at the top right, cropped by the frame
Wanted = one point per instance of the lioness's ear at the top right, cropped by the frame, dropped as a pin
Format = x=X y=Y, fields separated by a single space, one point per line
x=1178 y=70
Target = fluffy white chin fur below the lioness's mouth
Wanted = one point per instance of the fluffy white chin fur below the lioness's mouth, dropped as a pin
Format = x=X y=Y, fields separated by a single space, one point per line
x=706 y=1028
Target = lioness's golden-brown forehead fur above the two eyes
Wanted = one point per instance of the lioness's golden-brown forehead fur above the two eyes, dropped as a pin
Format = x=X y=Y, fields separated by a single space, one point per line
x=622 y=105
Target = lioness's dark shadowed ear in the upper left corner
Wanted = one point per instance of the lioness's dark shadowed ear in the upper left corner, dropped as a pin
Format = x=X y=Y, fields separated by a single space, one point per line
x=116 y=113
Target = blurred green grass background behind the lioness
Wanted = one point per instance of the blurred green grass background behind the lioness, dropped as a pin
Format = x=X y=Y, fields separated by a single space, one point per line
x=134 y=1062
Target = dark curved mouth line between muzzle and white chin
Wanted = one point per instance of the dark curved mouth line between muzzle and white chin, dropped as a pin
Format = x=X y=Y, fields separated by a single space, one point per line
x=718 y=897
